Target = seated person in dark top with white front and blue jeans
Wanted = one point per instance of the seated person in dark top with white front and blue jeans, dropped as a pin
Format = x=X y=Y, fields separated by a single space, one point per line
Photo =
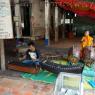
x=32 y=55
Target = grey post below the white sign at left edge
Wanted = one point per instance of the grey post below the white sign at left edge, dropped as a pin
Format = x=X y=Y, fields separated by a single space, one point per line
x=2 y=53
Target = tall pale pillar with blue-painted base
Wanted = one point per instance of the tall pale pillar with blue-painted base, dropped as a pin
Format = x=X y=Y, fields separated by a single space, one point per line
x=47 y=22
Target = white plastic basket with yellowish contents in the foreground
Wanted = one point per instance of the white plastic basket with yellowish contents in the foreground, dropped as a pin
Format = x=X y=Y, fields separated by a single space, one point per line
x=68 y=82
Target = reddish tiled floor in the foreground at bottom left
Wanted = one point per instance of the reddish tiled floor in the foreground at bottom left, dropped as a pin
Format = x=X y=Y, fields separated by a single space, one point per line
x=18 y=86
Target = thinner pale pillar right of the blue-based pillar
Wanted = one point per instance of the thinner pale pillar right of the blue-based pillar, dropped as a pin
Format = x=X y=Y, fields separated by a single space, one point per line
x=56 y=24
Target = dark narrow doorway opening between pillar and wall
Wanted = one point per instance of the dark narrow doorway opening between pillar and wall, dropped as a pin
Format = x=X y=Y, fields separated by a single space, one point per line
x=25 y=17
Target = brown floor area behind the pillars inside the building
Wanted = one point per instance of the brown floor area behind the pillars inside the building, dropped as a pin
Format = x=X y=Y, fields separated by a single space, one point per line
x=63 y=43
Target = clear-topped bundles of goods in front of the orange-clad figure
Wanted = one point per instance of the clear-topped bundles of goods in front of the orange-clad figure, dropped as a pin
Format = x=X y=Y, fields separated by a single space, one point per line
x=86 y=55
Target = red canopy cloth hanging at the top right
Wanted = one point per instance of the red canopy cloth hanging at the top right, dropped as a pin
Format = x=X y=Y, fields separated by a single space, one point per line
x=80 y=7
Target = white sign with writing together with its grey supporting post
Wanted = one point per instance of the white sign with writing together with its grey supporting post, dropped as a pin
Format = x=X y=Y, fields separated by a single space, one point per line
x=6 y=31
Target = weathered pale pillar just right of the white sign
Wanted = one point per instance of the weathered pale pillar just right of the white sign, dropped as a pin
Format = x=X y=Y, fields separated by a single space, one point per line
x=18 y=16
